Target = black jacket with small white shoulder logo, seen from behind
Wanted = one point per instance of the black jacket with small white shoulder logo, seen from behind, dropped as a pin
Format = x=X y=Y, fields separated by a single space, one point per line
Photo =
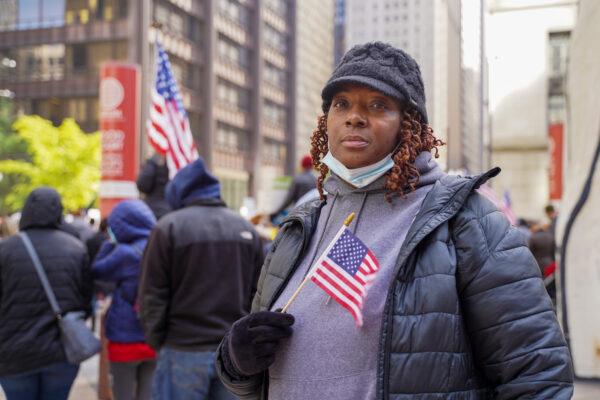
x=199 y=272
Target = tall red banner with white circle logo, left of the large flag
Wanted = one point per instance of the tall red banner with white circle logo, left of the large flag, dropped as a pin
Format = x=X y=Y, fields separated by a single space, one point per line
x=119 y=125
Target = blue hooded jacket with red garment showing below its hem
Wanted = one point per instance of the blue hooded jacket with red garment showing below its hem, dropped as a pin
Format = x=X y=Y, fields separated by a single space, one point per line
x=131 y=222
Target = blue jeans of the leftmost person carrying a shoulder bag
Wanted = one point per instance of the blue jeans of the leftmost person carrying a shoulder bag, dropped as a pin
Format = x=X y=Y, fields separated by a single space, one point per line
x=50 y=383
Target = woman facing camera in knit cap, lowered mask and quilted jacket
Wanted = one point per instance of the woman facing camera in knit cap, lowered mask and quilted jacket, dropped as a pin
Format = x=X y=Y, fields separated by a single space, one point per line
x=457 y=309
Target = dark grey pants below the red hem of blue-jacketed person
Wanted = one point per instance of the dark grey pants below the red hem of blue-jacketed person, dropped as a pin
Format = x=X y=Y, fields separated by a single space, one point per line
x=132 y=380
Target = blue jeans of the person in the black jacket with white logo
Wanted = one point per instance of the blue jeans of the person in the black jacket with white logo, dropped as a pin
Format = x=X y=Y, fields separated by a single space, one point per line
x=183 y=375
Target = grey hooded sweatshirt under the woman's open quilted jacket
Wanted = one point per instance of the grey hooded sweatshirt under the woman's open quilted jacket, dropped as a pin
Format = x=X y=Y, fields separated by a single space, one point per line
x=328 y=357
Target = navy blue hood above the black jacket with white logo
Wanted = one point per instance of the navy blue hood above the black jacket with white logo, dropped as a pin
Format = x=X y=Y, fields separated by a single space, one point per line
x=192 y=183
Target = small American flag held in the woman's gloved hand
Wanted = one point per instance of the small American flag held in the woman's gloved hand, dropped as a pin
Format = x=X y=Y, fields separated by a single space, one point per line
x=345 y=271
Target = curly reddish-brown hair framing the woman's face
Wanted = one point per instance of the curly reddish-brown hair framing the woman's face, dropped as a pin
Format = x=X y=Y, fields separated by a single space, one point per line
x=414 y=137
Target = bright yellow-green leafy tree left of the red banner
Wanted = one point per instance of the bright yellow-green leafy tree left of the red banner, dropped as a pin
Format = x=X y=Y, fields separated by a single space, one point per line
x=63 y=157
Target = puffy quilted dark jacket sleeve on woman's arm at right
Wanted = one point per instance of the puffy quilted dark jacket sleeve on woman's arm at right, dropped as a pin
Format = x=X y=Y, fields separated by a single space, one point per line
x=516 y=340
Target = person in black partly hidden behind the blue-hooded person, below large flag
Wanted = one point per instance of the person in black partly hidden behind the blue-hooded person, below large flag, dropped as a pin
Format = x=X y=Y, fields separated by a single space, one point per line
x=151 y=182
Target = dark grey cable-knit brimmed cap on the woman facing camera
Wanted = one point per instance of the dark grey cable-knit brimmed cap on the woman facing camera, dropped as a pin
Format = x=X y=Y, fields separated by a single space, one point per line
x=382 y=67
